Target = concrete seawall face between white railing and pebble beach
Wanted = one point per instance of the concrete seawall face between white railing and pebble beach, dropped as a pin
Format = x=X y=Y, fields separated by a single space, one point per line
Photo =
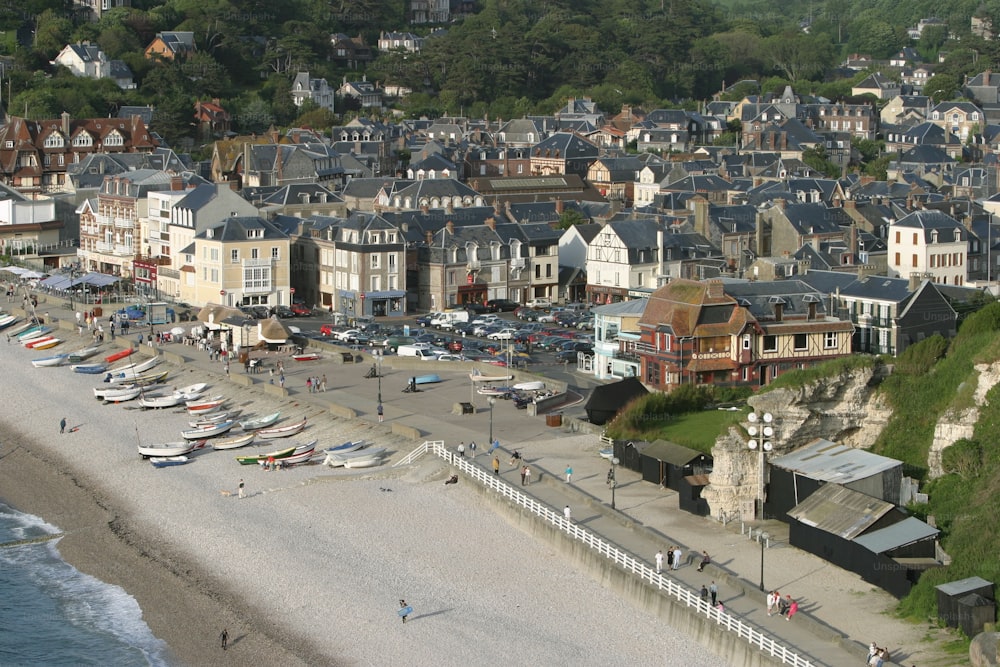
x=726 y=644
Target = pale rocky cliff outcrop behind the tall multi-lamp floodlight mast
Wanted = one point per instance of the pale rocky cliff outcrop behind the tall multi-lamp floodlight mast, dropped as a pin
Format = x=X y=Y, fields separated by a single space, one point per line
x=846 y=409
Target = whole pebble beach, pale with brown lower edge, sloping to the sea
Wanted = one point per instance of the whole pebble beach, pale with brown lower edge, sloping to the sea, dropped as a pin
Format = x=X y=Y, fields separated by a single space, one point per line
x=309 y=567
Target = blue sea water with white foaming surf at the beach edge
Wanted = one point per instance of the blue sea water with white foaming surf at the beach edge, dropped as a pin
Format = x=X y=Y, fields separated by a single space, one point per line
x=53 y=614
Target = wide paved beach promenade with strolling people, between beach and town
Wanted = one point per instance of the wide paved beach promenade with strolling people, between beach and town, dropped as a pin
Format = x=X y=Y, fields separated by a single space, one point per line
x=838 y=613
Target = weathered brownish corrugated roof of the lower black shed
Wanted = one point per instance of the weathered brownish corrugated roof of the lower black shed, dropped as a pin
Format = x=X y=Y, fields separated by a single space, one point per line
x=840 y=511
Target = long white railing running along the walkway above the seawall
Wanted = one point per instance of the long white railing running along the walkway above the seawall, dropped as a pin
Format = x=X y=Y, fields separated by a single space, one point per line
x=624 y=560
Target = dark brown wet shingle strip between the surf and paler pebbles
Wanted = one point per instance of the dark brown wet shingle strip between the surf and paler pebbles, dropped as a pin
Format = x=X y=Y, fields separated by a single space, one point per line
x=98 y=540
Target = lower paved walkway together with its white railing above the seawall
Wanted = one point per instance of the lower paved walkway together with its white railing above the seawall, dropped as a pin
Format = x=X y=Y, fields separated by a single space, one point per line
x=630 y=547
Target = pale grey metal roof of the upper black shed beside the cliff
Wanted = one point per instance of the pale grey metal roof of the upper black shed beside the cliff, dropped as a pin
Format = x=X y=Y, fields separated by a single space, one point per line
x=829 y=462
